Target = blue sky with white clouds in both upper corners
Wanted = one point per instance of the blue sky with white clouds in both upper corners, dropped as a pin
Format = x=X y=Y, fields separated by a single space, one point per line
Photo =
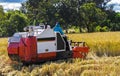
x=16 y=4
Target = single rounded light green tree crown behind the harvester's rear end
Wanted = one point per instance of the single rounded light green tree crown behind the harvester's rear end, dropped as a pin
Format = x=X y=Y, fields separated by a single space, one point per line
x=17 y=22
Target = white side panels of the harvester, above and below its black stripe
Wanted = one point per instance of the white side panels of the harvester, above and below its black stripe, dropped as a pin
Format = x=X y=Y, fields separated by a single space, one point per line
x=46 y=46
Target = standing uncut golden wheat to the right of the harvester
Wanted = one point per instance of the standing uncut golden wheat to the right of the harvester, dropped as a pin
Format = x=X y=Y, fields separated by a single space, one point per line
x=101 y=43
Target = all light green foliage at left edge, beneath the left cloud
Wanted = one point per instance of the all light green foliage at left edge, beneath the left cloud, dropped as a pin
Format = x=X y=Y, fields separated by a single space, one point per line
x=14 y=21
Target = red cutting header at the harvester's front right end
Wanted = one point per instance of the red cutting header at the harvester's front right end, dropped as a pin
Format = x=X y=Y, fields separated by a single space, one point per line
x=80 y=52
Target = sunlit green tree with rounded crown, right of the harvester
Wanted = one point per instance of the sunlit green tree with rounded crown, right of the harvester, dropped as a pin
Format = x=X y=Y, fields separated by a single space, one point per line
x=91 y=16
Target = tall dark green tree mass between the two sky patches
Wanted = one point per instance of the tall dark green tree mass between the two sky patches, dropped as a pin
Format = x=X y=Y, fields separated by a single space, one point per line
x=67 y=12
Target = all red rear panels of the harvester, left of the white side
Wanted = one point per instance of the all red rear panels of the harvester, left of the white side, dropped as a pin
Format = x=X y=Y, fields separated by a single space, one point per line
x=26 y=49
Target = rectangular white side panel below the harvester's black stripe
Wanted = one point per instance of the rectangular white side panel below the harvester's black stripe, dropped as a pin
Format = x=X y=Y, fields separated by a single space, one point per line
x=47 y=46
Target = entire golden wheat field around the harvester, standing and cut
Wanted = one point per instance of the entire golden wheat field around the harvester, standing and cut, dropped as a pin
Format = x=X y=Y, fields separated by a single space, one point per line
x=102 y=60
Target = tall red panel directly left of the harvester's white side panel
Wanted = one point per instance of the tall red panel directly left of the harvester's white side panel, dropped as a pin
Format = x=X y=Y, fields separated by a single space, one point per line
x=30 y=53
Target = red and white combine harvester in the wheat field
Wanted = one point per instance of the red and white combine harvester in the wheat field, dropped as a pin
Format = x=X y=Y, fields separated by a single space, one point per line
x=40 y=44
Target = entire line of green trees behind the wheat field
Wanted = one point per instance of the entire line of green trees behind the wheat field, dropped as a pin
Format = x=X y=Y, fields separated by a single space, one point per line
x=86 y=15
